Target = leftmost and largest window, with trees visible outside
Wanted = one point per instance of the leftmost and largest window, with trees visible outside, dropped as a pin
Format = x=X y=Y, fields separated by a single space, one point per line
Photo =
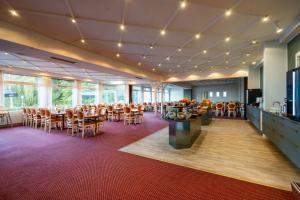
x=20 y=91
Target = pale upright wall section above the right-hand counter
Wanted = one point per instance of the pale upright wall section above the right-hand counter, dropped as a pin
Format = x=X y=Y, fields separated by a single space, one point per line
x=274 y=77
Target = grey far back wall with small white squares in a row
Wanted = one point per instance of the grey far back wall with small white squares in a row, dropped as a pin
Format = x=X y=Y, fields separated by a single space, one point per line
x=233 y=90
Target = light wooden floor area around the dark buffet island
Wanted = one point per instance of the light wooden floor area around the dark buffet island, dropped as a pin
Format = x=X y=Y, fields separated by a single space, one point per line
x=231 y=148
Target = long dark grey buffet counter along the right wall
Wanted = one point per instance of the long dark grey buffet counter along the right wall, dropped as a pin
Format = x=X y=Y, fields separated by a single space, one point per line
x=280 y=130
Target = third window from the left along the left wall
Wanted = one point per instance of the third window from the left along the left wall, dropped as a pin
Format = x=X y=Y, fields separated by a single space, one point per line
x=88 y=93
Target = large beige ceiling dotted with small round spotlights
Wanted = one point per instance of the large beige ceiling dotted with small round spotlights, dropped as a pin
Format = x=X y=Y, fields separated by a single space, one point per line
x=98 y=23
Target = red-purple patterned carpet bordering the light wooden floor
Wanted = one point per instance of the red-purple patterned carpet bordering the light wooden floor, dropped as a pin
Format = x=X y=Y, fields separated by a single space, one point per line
x=36 y=165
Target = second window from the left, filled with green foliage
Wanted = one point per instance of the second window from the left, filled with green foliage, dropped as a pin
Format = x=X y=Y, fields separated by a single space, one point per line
x=62 y=92
